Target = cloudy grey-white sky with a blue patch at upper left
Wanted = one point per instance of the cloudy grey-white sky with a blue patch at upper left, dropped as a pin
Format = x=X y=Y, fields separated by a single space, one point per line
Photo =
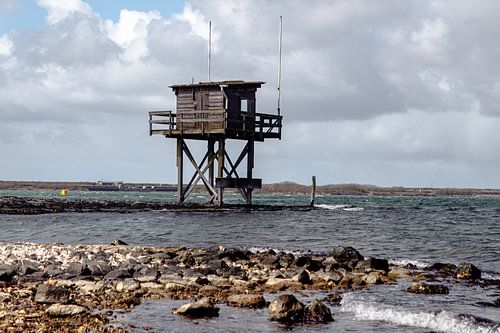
x=389 y=93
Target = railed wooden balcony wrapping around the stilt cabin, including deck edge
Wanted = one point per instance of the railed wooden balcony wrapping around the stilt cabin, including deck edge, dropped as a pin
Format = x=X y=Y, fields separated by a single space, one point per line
x=216 y=124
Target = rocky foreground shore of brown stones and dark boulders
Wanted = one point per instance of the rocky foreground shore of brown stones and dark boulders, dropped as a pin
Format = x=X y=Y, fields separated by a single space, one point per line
x=57 y=287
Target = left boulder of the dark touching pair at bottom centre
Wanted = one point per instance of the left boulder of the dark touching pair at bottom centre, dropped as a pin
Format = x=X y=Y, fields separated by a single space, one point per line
x=286 y=309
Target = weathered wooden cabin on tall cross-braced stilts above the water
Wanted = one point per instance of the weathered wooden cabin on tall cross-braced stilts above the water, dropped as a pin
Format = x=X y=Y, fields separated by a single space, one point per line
x=215 y=112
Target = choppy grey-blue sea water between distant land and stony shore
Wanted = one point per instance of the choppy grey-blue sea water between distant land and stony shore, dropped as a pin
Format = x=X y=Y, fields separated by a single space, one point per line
x=402 y=229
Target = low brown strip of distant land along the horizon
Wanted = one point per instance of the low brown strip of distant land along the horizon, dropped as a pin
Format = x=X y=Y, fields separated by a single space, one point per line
x=277 y=188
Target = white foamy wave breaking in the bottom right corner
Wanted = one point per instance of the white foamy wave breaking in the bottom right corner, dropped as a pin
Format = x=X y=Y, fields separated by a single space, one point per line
x=440 y=321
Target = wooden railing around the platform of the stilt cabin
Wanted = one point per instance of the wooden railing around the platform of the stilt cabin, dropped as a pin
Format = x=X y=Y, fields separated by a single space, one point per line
x=266 y=125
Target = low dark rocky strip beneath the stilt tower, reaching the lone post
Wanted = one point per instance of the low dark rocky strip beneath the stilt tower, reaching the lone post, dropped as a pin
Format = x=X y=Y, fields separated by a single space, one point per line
x=32 y=206
